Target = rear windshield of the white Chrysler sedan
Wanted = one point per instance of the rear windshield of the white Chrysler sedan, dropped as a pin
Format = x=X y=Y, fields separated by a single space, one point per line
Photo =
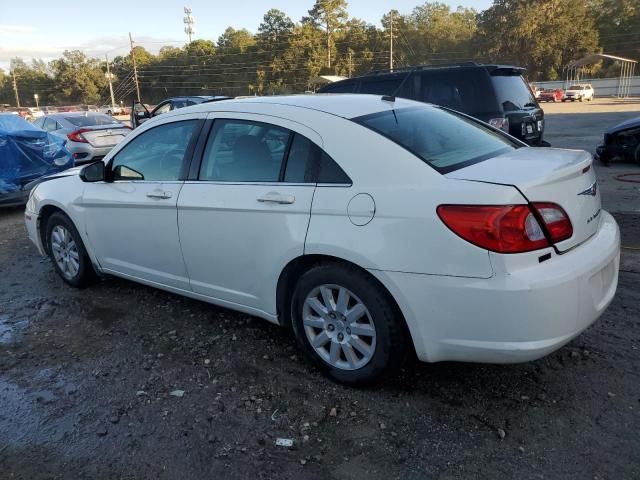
x=444 y=140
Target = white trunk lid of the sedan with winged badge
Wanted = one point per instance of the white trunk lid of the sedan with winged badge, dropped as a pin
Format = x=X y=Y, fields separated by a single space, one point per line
x=564 y=177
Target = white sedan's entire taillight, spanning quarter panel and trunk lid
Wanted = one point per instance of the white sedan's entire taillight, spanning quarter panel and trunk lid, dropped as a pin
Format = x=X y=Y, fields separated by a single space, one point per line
x=507 y=228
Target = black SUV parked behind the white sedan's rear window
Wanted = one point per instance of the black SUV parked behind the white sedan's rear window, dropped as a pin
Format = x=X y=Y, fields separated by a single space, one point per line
x=496 y=94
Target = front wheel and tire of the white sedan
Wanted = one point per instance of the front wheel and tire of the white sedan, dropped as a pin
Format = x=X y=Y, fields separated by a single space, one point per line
x=67 y=252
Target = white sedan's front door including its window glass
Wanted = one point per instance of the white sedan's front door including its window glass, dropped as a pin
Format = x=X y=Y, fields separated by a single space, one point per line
x=132 y=220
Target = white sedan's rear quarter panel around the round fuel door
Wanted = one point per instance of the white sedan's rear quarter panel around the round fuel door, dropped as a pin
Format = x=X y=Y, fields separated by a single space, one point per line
x=405 y=233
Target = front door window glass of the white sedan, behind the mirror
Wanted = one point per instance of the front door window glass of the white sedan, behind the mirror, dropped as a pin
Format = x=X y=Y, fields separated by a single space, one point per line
x=155 y=155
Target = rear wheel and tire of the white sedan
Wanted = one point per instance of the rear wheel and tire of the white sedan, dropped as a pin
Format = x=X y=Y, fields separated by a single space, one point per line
x=381 y=346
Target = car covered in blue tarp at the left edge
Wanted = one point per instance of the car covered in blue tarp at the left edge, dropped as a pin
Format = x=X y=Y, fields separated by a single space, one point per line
x=26 y=153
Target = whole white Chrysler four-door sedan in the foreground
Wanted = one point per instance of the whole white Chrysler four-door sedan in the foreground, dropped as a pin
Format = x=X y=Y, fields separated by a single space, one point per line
x=372 y=226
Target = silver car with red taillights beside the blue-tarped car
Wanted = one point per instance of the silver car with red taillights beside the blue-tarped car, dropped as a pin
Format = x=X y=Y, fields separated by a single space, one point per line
x=89 y=136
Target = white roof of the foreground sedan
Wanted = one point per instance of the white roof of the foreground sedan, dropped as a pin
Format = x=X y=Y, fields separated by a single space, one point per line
x=343 y=105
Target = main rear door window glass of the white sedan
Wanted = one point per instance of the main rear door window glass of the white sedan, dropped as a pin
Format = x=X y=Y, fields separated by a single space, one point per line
x=244 y=151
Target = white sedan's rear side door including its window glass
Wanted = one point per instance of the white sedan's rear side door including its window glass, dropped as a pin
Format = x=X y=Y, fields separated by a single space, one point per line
x=244 y=214
